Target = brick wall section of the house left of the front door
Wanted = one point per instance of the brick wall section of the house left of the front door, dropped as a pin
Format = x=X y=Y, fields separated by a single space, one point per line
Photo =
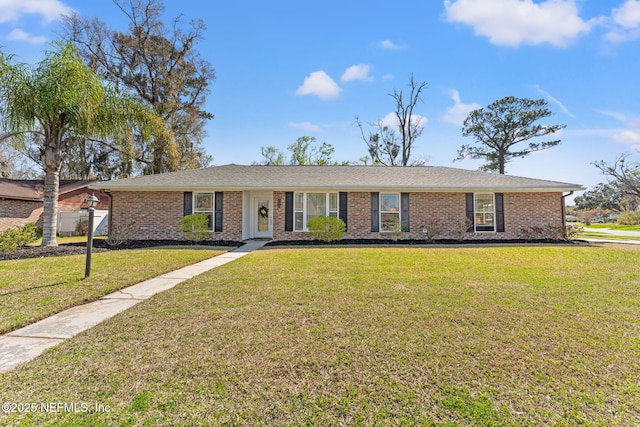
x=151 y=215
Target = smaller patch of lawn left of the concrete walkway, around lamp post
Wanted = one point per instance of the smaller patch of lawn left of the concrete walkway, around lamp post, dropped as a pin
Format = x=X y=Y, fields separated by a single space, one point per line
x=32 y=289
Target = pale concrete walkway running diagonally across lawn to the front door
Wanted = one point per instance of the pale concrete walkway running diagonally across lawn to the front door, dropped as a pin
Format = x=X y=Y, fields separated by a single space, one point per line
x=25 y=344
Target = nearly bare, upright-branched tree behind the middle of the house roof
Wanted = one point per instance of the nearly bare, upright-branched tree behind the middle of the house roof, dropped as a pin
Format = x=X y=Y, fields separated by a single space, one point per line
x=387 y=142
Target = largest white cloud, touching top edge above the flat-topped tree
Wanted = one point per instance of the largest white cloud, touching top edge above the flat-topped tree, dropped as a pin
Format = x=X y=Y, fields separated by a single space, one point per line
x=518 y=22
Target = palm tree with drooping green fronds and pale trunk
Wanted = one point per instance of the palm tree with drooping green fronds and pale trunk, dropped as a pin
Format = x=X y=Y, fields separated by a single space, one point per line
x=45 y=106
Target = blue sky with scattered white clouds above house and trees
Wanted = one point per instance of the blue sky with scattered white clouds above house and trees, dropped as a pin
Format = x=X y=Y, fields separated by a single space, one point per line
x=287 y=69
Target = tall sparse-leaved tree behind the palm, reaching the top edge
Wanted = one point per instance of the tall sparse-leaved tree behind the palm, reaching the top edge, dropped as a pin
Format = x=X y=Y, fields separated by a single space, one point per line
x=159 y=64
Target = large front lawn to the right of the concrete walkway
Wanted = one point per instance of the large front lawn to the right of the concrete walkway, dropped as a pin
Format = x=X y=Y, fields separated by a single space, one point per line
x=482 y=336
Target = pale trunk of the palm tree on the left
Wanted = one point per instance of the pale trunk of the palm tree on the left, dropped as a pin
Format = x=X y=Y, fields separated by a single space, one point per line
x=51 y=160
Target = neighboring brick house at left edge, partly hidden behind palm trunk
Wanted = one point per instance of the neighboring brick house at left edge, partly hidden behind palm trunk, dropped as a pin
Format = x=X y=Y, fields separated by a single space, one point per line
x=21 y=201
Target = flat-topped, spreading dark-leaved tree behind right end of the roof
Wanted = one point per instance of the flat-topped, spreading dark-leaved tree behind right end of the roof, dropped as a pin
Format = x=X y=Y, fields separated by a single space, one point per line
x=503 y=124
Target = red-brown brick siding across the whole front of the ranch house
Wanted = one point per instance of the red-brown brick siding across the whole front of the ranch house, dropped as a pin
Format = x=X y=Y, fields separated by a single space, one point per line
x=156 y=215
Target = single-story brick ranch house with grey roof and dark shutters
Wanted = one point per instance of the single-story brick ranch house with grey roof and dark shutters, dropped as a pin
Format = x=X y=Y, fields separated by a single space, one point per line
x=276 y=202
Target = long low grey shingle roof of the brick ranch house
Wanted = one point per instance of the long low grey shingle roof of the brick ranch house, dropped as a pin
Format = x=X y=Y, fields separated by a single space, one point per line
x=353 y=178
